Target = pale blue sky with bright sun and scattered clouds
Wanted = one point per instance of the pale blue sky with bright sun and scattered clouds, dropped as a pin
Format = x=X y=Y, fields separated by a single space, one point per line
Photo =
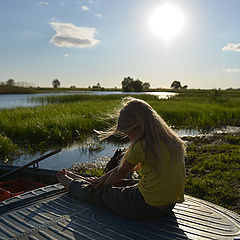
x=85 y=42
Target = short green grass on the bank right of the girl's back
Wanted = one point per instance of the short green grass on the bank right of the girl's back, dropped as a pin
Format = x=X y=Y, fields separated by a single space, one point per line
x=213 y=172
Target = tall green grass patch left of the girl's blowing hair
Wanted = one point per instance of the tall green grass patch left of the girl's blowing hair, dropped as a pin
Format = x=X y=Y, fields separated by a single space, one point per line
x=52 y=125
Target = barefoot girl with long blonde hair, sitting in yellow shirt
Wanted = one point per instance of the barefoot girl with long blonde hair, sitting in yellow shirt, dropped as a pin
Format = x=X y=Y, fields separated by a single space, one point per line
x=156 y=149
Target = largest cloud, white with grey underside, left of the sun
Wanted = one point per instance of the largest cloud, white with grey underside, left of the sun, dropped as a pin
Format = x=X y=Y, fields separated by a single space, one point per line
x=71 y=36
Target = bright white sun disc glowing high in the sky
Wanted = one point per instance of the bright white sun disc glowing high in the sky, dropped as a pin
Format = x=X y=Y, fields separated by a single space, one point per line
x=167 y=21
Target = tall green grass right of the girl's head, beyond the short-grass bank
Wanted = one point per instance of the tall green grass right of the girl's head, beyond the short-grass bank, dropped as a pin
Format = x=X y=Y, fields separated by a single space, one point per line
x=201 y=110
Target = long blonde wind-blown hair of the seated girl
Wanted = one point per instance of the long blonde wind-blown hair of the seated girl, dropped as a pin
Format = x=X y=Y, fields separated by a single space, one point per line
x=136 y=113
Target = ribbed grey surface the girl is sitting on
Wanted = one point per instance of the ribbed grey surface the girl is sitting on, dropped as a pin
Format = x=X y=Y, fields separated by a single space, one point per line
x=51 y=213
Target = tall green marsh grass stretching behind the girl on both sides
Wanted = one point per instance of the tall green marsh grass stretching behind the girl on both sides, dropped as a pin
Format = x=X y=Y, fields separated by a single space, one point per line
x=69 y=118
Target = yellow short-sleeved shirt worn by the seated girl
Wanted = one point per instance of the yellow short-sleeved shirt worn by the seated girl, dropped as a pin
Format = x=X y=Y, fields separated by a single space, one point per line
x=165 y=188
